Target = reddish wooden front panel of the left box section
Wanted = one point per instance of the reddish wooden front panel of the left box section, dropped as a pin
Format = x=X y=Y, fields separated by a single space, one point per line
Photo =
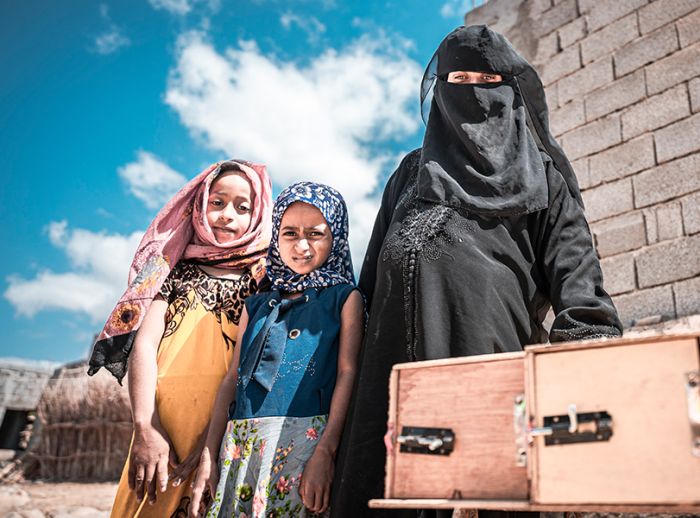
x=475 y=399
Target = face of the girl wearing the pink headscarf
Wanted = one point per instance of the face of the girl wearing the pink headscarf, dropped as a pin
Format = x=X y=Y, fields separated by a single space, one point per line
x=229 y=206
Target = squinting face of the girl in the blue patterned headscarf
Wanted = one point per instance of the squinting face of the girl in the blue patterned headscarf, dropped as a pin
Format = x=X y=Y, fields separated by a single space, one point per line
x=305 y=238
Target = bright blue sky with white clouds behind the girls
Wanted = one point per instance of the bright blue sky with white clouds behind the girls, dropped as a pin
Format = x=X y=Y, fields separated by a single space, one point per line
x=106 y=108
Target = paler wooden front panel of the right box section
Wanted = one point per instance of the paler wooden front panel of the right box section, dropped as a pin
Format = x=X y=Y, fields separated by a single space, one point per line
x=648 y=460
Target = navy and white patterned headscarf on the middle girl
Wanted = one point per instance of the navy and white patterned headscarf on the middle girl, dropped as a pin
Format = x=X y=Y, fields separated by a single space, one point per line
x=338 y=267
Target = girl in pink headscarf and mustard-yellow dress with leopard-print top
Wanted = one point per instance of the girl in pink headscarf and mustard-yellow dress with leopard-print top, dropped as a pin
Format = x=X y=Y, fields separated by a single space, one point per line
x=177 y=323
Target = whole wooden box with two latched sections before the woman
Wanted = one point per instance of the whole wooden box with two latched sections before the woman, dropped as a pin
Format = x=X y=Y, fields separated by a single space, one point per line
x=633 y=446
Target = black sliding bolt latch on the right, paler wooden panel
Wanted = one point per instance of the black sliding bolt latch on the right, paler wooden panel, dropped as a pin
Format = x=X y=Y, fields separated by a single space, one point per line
x=574 y=427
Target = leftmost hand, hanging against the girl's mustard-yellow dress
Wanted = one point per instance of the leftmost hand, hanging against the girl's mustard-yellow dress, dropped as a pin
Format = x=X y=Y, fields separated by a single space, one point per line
x=148 y=464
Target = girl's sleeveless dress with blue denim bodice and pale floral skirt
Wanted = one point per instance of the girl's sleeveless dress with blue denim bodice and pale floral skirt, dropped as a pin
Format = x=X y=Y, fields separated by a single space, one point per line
x=287 y=374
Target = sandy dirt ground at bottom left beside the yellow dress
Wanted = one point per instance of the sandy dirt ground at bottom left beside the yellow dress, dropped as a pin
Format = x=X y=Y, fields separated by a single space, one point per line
x=56 y=500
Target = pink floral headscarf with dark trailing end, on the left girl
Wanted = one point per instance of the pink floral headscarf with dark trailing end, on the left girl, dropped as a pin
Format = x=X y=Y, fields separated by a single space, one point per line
x=181 y=231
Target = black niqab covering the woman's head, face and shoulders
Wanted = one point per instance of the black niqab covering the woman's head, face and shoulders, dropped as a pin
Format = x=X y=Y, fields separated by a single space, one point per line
x=482 y=142
